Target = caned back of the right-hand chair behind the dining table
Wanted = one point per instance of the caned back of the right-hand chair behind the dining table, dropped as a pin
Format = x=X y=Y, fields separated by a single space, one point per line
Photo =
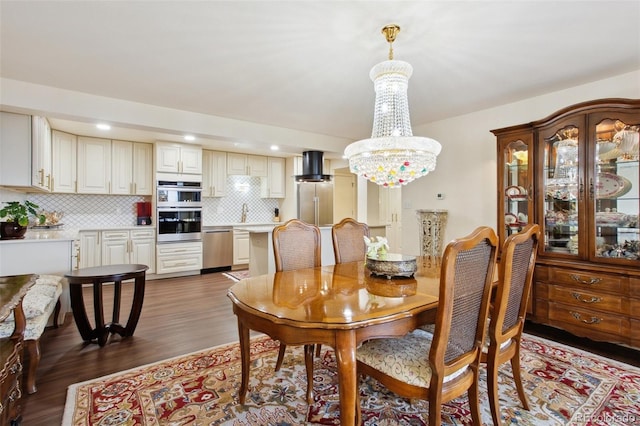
x=348 y=240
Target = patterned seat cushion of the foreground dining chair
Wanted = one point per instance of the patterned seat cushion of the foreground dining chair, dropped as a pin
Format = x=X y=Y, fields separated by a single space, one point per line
x=404 y=358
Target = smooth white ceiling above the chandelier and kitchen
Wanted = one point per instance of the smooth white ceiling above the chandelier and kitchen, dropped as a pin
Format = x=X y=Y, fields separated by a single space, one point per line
x=304 y=65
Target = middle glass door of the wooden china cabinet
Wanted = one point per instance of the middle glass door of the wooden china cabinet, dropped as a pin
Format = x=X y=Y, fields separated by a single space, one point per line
x=563 y=190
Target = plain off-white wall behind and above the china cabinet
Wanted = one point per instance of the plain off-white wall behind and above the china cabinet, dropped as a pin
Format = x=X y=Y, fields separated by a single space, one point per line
x=466 y=172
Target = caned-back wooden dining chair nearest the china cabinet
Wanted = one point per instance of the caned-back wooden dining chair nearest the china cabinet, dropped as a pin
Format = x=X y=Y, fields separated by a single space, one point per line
x=515 y=274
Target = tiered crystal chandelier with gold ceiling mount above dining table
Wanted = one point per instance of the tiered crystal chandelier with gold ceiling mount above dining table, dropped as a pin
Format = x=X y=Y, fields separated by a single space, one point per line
x=392 y=157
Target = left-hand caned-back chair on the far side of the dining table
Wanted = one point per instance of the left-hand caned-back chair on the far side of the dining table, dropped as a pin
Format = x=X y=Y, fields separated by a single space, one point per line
x=297 y=245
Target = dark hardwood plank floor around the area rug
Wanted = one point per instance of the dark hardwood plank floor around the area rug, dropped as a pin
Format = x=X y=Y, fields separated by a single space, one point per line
x=180 y=315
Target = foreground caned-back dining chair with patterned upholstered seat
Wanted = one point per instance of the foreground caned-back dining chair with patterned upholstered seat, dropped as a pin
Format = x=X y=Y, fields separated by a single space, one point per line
x=441 y=366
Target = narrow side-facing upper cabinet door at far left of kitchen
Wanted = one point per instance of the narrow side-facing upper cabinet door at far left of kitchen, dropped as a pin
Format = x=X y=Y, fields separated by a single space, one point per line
x=41 y=153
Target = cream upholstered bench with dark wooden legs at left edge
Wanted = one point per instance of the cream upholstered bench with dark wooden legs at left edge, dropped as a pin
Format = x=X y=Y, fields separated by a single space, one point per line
x=42 y=299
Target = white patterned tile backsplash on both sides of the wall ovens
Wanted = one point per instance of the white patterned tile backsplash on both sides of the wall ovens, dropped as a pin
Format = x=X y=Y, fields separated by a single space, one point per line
x=90 y=211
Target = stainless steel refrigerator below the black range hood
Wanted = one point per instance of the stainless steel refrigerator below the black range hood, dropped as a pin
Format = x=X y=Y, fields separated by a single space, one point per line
x=315 y=203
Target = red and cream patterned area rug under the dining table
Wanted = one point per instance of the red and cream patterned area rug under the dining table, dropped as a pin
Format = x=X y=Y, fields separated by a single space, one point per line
x=565 y=386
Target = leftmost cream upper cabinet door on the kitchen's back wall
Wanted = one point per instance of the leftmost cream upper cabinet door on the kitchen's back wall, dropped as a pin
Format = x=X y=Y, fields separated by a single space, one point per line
x=63 y=162
